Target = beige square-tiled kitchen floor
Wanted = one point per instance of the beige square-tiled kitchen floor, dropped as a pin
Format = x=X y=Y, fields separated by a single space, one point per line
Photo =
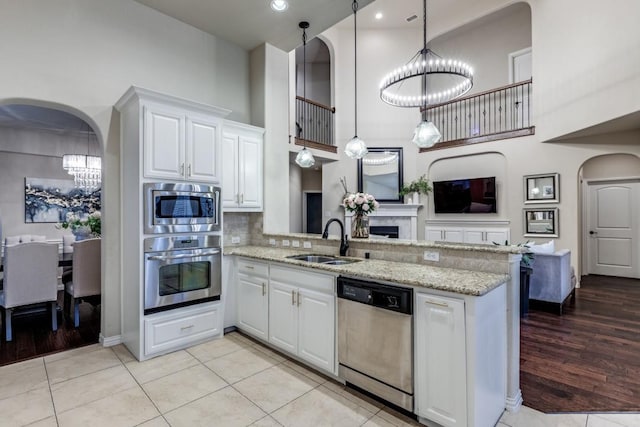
x=232 y=381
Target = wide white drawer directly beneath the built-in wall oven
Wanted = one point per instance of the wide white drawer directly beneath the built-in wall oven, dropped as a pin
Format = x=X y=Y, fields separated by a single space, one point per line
x=178 y=328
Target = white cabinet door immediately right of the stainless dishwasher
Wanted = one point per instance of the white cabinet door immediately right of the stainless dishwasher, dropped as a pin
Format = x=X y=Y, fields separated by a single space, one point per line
x=440 y=365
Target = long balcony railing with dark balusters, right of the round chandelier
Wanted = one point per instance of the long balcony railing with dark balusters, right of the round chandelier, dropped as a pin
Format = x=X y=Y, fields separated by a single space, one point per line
x=499 y=113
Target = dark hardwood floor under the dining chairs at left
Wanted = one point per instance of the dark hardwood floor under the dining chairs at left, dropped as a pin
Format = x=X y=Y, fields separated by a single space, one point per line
x=33 y=337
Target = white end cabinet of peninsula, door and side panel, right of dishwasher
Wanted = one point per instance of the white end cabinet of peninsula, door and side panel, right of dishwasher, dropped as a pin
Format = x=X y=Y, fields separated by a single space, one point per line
x=460 y=358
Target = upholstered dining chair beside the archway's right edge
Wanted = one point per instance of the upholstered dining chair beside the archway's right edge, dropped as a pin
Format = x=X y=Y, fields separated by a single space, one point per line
x=85 y=282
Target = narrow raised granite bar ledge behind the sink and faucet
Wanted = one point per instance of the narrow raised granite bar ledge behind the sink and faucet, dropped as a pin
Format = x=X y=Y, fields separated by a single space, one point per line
x=416 y=243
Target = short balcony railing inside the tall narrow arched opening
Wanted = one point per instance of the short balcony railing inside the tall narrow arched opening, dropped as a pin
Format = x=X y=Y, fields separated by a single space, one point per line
x=314 y=123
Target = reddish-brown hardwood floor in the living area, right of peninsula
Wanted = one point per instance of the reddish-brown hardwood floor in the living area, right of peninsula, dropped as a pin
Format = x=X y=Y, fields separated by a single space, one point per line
x=588 y=359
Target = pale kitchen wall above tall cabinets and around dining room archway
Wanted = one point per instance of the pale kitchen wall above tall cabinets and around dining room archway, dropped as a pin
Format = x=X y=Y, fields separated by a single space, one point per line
x=82 y=55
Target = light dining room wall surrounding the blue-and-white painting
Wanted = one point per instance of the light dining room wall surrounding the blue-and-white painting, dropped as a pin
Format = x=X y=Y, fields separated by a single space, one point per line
x=34 y=154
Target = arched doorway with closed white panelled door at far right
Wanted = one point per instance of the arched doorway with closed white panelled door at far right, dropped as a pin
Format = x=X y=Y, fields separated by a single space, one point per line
x=610 y=217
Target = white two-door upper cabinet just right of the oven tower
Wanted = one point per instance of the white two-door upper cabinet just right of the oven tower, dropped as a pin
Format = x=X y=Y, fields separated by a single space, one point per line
x=242 y=181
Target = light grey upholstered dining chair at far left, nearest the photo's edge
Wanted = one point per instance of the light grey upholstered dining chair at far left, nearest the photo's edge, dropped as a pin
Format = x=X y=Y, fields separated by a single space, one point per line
x=30 y=277
